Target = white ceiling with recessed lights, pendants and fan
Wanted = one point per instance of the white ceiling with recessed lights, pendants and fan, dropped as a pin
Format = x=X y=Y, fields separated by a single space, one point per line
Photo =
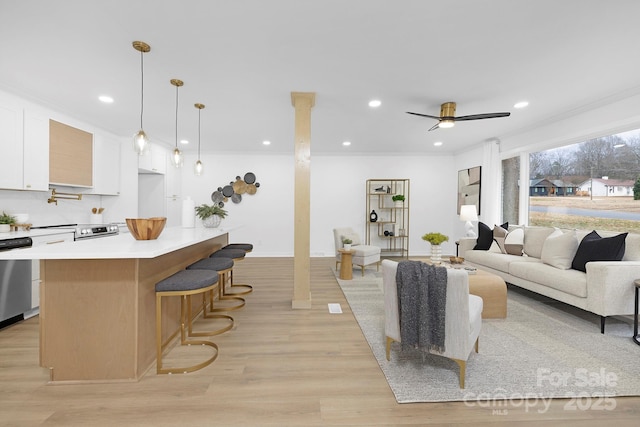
x=243 y=58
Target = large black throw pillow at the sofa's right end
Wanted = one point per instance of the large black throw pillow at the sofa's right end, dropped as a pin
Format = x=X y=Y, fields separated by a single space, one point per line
x=596 y=248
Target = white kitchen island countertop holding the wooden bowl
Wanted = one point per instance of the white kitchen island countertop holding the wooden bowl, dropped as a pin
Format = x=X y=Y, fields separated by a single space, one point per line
x=113 y=247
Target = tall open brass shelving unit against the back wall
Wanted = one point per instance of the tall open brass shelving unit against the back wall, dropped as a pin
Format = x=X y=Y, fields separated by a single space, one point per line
x=387 y=220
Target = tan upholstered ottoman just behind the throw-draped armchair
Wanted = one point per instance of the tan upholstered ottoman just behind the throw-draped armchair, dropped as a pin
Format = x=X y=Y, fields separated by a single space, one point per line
x=493 y=291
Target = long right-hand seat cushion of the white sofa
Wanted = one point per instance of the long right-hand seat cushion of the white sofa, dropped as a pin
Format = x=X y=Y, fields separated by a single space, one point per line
x=570 y=281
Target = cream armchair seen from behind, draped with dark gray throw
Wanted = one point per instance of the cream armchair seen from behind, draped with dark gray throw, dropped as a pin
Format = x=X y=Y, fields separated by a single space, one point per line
x=463 y=319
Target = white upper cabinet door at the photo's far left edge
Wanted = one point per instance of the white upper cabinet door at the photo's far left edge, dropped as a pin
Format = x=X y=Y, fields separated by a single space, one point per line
x=11 y=160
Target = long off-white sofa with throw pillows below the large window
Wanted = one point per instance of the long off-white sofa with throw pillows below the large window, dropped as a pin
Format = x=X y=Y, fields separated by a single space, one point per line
x=606 y=288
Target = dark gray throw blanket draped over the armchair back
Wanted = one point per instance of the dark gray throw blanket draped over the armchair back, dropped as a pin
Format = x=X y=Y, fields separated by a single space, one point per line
x=422 y=296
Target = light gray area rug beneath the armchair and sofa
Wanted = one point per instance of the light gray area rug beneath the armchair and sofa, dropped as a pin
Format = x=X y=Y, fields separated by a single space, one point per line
x=542 y=350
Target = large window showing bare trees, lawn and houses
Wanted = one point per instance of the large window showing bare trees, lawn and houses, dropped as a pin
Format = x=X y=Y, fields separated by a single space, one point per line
x=590 y=185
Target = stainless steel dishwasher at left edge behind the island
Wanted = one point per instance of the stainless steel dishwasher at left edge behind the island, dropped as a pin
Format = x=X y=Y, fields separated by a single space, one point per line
x=15 y=283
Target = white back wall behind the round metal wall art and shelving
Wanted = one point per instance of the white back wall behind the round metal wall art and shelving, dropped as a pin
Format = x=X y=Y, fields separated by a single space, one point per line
x=337 y=197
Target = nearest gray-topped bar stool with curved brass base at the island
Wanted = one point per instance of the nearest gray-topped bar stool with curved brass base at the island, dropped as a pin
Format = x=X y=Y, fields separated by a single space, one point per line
x=184 y=284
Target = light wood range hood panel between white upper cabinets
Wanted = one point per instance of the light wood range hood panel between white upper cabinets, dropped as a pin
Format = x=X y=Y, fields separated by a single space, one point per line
x=70 y=156
